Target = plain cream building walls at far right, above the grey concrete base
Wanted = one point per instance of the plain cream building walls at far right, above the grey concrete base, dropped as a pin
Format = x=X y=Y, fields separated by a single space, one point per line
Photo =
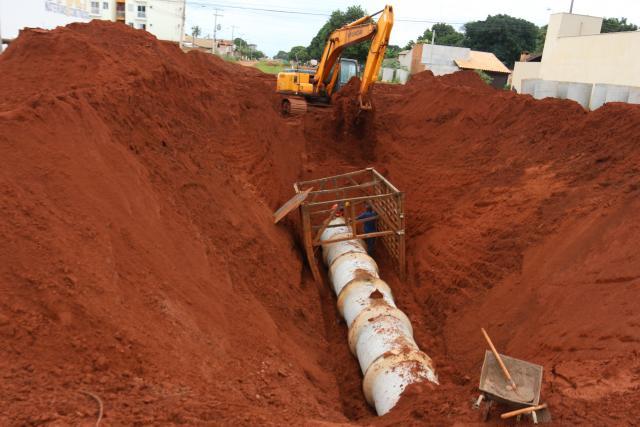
x=575 y=51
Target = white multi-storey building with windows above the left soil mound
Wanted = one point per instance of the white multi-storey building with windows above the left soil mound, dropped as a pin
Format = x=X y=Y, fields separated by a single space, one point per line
x=162 y=18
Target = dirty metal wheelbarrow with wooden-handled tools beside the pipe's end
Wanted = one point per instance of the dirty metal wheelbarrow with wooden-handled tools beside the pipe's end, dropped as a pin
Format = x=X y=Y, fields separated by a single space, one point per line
x=512 y=382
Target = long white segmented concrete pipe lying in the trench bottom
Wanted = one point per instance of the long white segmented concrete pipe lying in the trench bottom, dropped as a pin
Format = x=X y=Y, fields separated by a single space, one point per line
x=380 y=335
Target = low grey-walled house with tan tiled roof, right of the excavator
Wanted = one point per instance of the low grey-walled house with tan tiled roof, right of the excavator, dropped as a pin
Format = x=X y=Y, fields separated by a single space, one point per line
x=442 y=60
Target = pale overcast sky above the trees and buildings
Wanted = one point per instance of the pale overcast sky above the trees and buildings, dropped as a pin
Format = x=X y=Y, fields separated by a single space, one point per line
x=273 y=31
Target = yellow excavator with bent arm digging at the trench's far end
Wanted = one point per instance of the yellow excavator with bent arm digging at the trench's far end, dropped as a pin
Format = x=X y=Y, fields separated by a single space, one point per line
x=300 y=87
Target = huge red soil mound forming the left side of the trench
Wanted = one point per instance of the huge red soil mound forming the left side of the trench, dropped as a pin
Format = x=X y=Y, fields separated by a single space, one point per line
x=139 y=257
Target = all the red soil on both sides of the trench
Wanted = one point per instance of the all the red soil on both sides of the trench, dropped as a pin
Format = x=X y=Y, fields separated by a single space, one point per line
x=140 y=263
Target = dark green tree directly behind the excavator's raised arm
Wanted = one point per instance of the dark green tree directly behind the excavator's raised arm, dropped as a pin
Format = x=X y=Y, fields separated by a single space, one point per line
x=339 y=19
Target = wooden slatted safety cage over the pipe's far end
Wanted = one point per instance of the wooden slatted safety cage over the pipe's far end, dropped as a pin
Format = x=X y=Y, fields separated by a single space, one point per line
x=353 y=191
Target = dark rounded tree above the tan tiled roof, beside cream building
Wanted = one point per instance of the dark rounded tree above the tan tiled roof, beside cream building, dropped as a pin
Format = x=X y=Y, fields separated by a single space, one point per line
x=503 y=35
